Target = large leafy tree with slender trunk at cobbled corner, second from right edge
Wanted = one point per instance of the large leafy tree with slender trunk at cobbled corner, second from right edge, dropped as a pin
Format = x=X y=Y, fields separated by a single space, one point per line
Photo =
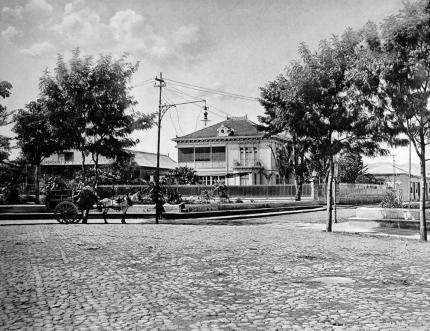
x=321 y=101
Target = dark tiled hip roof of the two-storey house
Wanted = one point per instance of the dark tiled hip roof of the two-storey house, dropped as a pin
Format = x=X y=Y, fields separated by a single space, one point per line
x=241 y=127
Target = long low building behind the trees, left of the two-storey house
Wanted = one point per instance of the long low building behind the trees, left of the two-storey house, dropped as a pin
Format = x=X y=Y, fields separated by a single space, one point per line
x=72 y=160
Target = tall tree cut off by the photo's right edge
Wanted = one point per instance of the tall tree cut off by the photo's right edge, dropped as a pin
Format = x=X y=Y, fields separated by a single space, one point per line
x=394 y=78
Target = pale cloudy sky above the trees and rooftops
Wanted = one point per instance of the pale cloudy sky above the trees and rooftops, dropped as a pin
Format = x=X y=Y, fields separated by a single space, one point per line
x=235 y=46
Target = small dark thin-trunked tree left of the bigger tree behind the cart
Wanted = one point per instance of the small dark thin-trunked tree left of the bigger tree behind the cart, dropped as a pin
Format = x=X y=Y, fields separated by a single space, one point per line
x=35 y=136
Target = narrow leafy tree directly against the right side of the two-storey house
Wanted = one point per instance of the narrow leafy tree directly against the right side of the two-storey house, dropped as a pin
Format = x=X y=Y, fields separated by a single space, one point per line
x=283 y=115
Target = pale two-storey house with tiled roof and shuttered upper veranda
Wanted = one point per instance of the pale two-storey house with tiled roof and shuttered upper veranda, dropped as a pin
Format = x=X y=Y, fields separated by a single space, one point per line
x=233 y=151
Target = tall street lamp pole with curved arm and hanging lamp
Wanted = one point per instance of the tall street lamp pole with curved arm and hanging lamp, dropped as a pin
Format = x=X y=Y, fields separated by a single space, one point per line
x=162 y=109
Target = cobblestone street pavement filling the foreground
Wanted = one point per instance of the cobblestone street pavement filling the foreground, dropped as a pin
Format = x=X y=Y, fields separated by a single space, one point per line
x=267 y=275
